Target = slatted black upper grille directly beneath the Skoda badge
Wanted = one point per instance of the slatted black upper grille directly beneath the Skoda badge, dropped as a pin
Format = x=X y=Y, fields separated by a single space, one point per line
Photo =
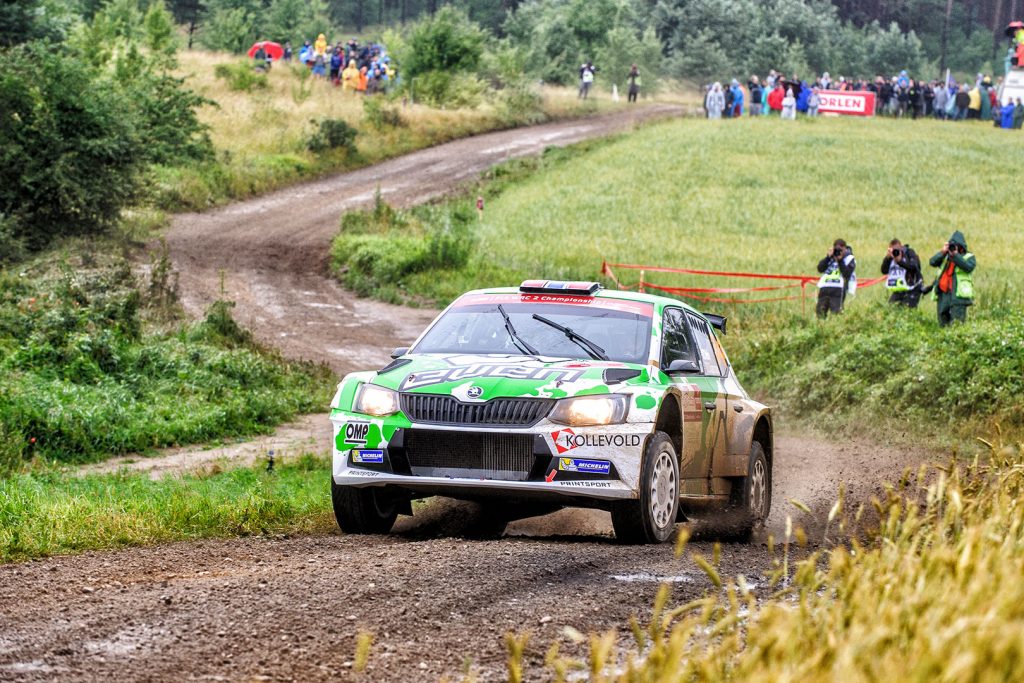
x=440 y=410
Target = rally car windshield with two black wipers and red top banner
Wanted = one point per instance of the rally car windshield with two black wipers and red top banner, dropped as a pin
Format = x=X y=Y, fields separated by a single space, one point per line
x=624 y=335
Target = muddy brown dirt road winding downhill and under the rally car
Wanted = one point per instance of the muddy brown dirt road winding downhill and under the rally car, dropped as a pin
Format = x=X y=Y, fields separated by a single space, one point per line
x=438 y=604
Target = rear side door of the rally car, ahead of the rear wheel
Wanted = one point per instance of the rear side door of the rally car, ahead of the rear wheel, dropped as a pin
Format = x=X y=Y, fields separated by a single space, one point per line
x=714 y=401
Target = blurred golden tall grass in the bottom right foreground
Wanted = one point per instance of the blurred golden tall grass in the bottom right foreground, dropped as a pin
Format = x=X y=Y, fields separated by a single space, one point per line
x=934 y=596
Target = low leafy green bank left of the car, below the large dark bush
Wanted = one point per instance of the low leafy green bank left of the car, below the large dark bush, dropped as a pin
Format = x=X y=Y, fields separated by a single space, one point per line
x=82 y=377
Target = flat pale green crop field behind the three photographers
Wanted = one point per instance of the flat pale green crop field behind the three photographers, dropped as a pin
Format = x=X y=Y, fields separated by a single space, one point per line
x=759 y=196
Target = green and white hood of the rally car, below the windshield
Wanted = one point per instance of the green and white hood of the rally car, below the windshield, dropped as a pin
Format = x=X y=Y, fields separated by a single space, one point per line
x=472 y=378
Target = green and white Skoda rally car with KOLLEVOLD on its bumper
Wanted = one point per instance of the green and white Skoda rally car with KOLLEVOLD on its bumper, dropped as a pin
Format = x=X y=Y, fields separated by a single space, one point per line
x=556 y=395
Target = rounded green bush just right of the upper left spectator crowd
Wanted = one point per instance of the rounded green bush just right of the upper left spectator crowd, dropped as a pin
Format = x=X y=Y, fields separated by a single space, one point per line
x=447 y=44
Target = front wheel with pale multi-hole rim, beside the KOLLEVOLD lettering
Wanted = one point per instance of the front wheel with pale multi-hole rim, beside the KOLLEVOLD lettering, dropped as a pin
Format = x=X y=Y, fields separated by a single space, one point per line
x=653 y=519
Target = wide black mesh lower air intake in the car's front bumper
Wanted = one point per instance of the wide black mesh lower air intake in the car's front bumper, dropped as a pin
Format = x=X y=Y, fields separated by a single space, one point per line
x=507 y=457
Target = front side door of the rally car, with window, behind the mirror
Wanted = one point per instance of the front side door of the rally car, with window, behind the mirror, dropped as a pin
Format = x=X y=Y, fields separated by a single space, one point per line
x=677 y=345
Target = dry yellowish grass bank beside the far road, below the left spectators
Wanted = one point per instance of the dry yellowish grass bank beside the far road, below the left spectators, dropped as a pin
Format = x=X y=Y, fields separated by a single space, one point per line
x=262 y=134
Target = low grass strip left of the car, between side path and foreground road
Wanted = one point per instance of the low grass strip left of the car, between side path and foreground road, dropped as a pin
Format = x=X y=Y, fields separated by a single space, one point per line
x=56 y=513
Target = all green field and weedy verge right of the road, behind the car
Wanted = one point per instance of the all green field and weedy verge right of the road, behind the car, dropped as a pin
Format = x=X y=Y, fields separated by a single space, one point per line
x=760 y=196
